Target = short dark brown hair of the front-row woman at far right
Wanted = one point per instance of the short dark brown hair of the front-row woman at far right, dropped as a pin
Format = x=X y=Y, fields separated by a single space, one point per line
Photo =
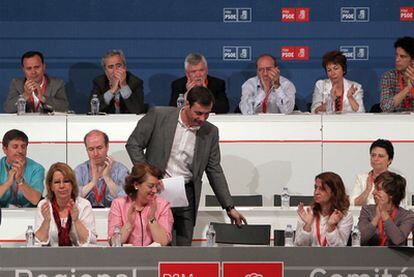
x=393 y=184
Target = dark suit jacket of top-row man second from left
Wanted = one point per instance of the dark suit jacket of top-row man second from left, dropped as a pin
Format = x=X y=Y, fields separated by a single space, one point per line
x=134 y=104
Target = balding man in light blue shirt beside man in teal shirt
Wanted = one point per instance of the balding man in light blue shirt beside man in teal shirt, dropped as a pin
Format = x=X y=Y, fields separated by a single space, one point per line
x=100 y=179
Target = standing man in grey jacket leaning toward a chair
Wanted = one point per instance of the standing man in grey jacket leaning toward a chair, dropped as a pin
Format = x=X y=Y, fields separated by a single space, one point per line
x=182 y=143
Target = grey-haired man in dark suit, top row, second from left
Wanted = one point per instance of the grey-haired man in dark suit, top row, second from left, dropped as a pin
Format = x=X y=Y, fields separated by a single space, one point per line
x=118 y=90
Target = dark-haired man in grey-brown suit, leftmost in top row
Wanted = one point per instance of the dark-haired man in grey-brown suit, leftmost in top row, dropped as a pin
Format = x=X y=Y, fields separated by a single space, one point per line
x=41 y=92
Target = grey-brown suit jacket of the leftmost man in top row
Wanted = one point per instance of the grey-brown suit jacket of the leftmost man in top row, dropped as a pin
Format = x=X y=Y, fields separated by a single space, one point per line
x=55 y=95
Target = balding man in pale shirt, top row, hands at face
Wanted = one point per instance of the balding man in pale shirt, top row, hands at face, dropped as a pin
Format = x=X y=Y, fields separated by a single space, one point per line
x=268 y=92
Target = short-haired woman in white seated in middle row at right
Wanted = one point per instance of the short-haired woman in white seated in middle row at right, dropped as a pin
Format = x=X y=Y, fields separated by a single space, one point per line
x=381 y=155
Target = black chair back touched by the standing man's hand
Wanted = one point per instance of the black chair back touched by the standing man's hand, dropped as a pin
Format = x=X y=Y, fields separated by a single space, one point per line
x=246 y=234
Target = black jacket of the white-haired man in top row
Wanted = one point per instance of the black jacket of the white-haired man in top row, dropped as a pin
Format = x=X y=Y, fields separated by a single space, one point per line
x=217 y=87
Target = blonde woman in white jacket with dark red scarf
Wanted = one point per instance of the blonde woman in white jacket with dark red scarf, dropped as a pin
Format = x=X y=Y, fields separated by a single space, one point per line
x=63 y=218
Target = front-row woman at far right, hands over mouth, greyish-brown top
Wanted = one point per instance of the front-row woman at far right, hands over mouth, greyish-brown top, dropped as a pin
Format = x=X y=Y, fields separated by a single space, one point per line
x=385 y=223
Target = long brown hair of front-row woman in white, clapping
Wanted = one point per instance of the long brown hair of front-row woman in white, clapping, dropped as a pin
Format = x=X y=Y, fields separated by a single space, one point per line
x=339 y=199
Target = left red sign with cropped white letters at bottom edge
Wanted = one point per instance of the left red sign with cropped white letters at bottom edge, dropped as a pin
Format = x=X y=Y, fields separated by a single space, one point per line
x=189 y=269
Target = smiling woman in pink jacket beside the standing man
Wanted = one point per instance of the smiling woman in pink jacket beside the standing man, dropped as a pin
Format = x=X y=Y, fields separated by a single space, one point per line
x=142 y=217
